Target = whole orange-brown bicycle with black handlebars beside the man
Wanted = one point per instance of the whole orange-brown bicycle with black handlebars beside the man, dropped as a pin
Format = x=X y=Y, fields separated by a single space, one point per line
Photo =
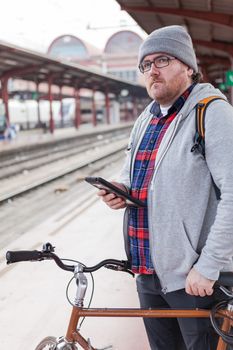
x=222 y=311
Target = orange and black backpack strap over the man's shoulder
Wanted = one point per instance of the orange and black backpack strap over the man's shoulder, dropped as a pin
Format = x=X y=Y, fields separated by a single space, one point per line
x=199 y=139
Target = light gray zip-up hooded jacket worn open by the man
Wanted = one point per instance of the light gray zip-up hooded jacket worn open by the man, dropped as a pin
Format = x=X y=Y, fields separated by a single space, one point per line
x=189 y=227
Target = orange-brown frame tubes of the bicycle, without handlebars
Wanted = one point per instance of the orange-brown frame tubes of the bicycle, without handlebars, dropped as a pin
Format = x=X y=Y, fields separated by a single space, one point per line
x=77 y=312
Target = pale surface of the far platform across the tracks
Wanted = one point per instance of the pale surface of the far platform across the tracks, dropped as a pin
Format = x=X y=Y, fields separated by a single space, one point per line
x=38 y=136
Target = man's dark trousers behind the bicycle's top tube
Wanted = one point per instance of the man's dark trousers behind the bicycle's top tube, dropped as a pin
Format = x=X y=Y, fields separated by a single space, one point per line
x=175 y=334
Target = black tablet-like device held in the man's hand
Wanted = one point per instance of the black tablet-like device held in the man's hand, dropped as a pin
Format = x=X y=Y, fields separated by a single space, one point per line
x=103 y=184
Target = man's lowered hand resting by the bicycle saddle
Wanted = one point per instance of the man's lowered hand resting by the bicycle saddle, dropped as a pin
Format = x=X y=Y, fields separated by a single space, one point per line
x=197 y=284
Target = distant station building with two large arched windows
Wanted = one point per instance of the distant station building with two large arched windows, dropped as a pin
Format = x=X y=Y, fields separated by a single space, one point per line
x=118 y=58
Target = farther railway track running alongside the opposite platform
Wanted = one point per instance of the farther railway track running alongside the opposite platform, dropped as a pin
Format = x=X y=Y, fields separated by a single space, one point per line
x=26 y=159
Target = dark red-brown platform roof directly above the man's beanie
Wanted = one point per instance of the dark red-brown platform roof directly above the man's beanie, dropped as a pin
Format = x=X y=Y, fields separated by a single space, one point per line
x=209 y=22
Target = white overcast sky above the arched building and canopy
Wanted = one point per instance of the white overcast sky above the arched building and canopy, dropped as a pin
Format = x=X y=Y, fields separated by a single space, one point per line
x=34 y=24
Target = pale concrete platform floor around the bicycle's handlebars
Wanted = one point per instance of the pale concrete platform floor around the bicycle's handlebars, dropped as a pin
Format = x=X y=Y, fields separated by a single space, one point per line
x=32 y=295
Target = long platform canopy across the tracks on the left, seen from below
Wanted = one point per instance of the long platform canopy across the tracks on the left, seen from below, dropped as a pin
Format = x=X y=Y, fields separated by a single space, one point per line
x=19 y=63
